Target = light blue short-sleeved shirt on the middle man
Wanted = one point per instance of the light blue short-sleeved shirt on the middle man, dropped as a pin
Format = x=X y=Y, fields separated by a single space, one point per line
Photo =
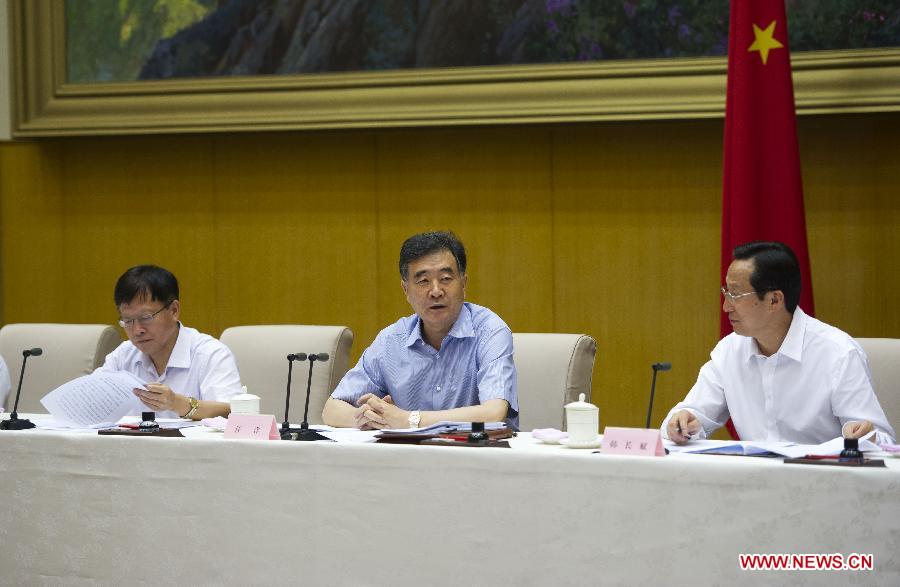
x=475 y=364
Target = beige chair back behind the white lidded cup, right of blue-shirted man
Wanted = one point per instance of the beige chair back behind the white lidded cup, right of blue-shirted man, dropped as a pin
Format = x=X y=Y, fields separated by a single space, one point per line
x=552 y=370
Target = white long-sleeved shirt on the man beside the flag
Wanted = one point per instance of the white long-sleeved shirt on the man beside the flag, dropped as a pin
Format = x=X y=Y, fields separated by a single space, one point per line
x=805 y=392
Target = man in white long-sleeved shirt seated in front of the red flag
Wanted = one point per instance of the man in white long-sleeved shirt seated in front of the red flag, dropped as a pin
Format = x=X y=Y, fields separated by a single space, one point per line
x=781 y=375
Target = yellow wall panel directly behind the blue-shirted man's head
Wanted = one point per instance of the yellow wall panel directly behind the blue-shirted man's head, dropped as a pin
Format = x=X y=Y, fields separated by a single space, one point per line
x=492 y=188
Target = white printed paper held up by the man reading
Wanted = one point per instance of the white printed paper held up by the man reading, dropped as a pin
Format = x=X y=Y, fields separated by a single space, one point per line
x=95 y=400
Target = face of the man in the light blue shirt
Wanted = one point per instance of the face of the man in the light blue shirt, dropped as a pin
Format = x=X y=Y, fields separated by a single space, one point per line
x=435 y=290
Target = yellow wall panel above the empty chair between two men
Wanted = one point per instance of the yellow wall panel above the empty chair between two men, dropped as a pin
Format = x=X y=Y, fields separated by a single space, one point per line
x=296 y=235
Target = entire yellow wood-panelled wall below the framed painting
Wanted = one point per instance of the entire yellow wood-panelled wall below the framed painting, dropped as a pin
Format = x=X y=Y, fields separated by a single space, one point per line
x=606 y=229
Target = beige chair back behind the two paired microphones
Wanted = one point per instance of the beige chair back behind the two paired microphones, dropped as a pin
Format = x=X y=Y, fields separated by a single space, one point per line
x=261 y=353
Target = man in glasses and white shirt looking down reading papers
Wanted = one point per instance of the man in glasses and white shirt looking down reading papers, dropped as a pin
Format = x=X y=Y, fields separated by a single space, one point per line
x=188 y=374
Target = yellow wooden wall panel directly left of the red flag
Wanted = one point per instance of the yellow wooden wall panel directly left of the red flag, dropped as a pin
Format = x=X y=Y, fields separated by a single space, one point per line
x=636 y=249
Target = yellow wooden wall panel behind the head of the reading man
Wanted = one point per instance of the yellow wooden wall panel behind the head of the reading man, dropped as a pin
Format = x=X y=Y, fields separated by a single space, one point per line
x=133 y=201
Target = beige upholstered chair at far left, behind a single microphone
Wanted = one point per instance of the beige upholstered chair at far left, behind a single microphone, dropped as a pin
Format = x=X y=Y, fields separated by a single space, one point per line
x=70 y=351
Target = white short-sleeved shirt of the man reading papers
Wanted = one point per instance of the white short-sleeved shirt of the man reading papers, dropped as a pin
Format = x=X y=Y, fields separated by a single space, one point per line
x=200 y=366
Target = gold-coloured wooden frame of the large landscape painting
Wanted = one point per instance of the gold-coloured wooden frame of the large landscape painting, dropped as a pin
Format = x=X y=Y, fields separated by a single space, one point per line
x=44 y=104
